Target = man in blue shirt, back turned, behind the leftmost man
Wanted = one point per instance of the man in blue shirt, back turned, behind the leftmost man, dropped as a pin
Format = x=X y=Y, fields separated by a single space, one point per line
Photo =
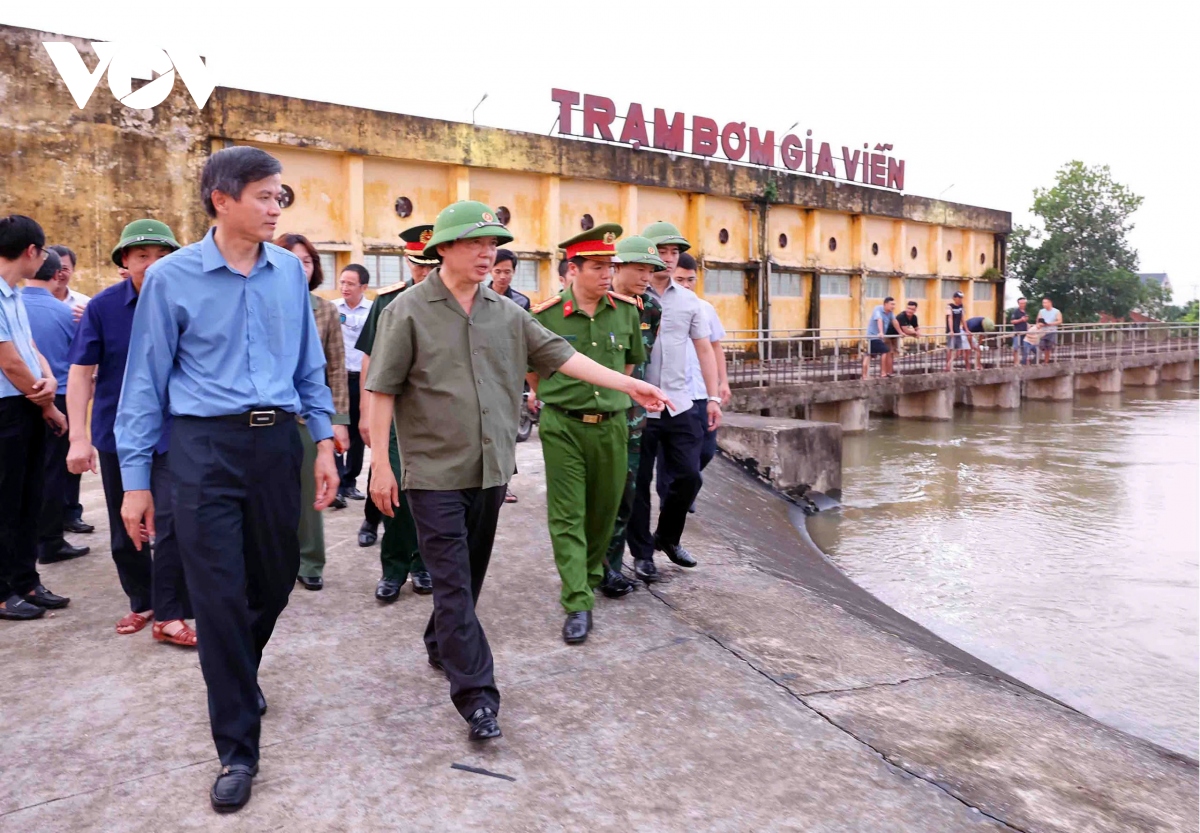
x=53 y=328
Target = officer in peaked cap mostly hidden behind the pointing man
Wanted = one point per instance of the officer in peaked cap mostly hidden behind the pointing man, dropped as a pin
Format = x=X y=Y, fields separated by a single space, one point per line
x=399 y=553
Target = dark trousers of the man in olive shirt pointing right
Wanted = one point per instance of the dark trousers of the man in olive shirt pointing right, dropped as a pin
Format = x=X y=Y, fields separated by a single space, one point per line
x=457 y=531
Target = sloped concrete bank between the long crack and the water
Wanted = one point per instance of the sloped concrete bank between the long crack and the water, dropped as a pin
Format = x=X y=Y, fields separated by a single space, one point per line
x=926 y=706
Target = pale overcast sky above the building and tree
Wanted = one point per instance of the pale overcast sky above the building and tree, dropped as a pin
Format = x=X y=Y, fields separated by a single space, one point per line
x=985 y=101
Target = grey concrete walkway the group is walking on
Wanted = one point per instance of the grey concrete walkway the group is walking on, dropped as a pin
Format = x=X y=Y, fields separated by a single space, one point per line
x=757 y=693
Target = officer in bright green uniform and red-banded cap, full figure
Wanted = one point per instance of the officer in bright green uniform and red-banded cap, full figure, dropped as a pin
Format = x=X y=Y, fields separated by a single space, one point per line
x=584 y=430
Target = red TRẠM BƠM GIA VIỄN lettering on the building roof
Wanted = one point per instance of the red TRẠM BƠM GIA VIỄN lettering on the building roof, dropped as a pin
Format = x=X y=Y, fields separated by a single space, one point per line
x=735 y=141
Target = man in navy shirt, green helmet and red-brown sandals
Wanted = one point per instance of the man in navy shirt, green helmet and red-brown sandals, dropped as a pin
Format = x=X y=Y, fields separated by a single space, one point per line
x=155 y=588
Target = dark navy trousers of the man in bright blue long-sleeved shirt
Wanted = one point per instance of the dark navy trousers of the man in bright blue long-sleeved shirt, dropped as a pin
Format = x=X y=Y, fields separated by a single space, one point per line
x=237 y=502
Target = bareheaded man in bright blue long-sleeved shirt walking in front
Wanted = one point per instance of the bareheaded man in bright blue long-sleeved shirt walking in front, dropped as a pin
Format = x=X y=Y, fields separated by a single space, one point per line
x=225 y=334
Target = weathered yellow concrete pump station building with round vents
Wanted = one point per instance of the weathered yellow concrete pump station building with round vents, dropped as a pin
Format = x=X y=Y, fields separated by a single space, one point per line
x=777 y=250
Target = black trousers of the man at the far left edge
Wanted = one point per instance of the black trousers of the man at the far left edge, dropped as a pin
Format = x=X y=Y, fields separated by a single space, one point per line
x=22 y=470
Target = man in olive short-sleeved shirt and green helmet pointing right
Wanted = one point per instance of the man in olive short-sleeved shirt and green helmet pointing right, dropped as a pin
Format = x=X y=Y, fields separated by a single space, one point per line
x=449 y=368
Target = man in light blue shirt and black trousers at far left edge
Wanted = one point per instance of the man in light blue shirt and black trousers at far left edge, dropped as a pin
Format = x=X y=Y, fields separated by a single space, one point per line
x=27 y=404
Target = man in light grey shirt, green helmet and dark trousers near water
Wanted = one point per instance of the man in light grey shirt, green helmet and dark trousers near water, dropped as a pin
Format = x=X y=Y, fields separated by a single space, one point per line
x=679 y=433
